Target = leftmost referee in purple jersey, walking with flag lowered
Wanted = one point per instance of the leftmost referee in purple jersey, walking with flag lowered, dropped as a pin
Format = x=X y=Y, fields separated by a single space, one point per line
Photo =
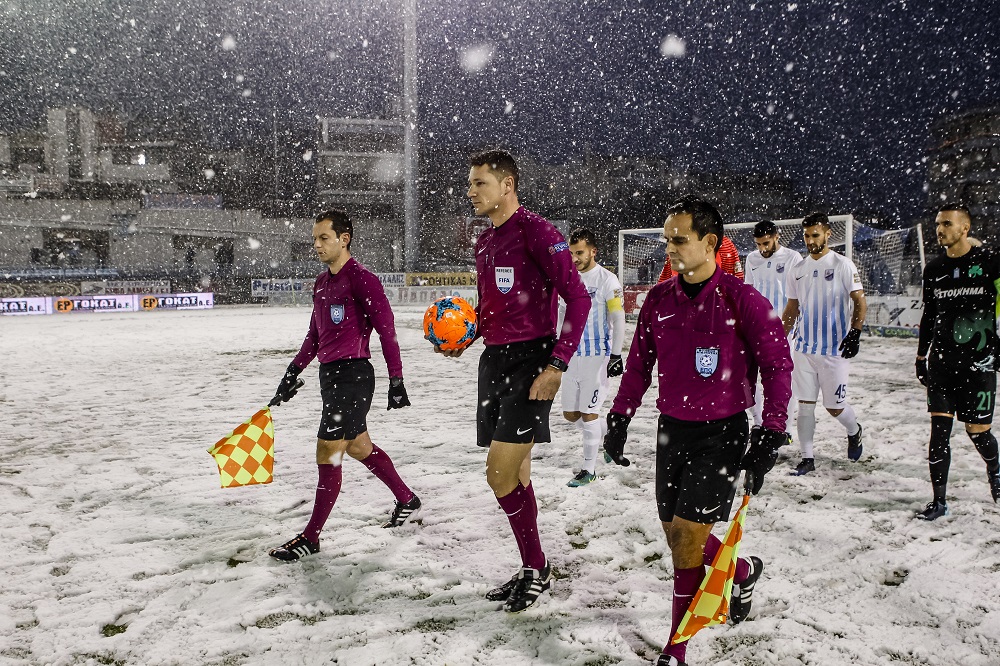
x=348 y=302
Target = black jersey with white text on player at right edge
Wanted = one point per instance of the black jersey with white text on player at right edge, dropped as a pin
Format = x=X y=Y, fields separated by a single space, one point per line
x=960 y=309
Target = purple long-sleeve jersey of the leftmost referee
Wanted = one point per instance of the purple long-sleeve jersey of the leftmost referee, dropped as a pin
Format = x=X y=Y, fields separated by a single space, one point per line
x=346 y=307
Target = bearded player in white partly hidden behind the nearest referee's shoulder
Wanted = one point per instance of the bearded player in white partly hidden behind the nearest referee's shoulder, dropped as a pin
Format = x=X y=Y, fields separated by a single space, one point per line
x=767 y=270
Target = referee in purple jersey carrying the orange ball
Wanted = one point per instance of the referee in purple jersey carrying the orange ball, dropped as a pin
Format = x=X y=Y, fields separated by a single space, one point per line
x=523 y=265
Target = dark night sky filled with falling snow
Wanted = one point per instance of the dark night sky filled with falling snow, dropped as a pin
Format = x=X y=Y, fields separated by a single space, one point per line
x=837 y=95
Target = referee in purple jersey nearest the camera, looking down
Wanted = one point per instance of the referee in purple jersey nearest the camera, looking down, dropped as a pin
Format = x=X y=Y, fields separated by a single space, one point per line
x=708 y=333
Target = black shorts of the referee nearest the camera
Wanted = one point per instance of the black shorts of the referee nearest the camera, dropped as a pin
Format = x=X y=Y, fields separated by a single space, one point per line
x=697 y=464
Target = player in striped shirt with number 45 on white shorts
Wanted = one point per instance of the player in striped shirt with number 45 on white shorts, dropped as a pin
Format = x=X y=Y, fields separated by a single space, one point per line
x=825 y=296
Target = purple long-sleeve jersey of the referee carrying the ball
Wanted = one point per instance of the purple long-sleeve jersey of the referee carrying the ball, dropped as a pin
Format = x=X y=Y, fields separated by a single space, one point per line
x=522 y=267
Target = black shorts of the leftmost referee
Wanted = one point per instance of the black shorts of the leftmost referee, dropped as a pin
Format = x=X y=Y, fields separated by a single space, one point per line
x=347 y=387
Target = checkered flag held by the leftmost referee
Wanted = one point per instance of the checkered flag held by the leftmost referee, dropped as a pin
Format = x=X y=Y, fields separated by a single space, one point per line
x=246 y=455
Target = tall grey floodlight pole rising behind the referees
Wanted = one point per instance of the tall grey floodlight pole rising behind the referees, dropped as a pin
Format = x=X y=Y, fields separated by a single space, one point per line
x=411 y=217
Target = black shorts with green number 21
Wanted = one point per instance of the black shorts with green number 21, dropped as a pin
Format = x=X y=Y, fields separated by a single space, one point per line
x=968 y=394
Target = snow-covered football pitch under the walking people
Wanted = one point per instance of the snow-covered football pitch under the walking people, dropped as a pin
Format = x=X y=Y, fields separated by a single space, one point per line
x=120 y=547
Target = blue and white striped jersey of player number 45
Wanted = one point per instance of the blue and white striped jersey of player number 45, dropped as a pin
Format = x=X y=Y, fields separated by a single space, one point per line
x=823 y=289
